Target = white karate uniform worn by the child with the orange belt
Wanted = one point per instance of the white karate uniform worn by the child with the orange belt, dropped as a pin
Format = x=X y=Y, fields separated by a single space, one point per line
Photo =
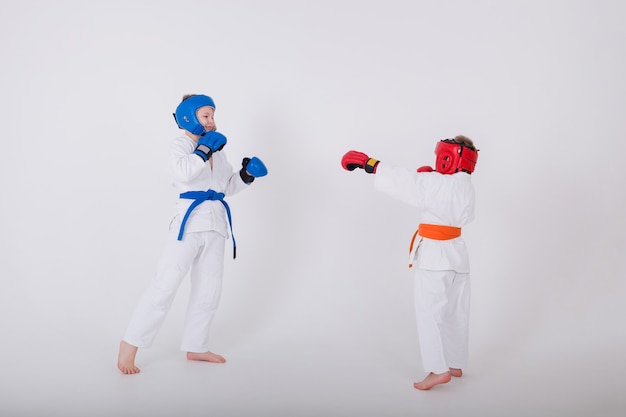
x=441 y=279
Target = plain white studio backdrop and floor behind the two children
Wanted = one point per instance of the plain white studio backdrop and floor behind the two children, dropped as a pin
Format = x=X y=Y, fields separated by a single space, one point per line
x=317 y=314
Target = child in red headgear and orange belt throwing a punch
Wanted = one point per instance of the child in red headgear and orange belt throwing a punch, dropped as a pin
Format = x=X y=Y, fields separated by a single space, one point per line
x=445 y=199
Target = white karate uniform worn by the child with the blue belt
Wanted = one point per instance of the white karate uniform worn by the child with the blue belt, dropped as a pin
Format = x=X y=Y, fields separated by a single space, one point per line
x=201 y=250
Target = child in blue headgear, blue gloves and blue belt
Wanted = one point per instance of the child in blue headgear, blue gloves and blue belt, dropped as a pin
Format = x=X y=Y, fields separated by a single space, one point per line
x=202 y=176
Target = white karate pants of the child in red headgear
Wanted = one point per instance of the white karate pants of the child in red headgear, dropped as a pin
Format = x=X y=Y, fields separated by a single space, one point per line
x=442 y=301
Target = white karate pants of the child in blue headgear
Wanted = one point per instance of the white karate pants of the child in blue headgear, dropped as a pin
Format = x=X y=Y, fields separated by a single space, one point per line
x=203 y=252
